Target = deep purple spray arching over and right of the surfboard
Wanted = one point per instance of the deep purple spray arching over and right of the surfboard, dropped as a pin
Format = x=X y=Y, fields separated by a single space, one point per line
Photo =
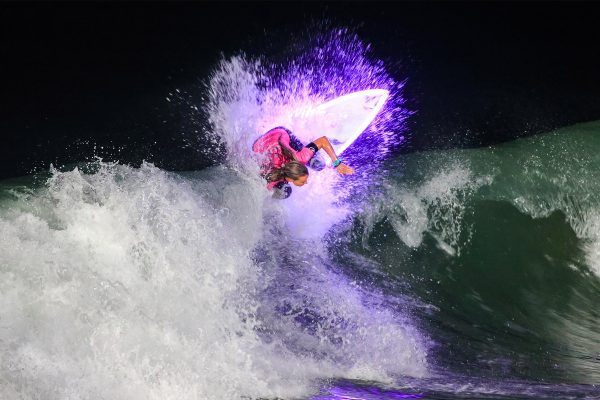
x=335 y=64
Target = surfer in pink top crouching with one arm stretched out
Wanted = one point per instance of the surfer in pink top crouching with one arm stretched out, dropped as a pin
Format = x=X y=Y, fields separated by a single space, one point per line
x=287 y=159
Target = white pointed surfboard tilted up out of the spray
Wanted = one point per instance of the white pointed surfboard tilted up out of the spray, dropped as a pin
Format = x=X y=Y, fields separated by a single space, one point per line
x=344 y=118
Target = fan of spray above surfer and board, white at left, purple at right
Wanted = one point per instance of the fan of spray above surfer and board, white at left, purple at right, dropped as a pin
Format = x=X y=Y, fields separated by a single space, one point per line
x=249 y=96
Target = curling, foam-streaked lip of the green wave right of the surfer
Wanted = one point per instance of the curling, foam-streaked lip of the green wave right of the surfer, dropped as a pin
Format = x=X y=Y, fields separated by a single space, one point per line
x=539 y=175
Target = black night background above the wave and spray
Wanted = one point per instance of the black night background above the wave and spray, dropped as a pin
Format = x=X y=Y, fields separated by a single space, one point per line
x=85 y=79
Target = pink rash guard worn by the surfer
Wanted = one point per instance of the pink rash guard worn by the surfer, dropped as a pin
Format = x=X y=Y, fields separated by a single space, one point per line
x=268 y=144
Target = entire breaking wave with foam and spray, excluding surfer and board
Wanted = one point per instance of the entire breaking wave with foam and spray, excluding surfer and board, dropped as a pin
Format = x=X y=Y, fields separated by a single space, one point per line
x=442 y=274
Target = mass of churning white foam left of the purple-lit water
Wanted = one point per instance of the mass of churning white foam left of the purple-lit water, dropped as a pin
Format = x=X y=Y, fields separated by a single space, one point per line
x=129 y=290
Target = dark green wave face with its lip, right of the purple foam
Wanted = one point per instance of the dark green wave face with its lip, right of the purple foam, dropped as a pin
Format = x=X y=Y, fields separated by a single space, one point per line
x=502 y=243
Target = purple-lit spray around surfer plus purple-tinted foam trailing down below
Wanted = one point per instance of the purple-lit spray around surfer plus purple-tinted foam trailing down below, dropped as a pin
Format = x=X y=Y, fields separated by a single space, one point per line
x=246 y=100
